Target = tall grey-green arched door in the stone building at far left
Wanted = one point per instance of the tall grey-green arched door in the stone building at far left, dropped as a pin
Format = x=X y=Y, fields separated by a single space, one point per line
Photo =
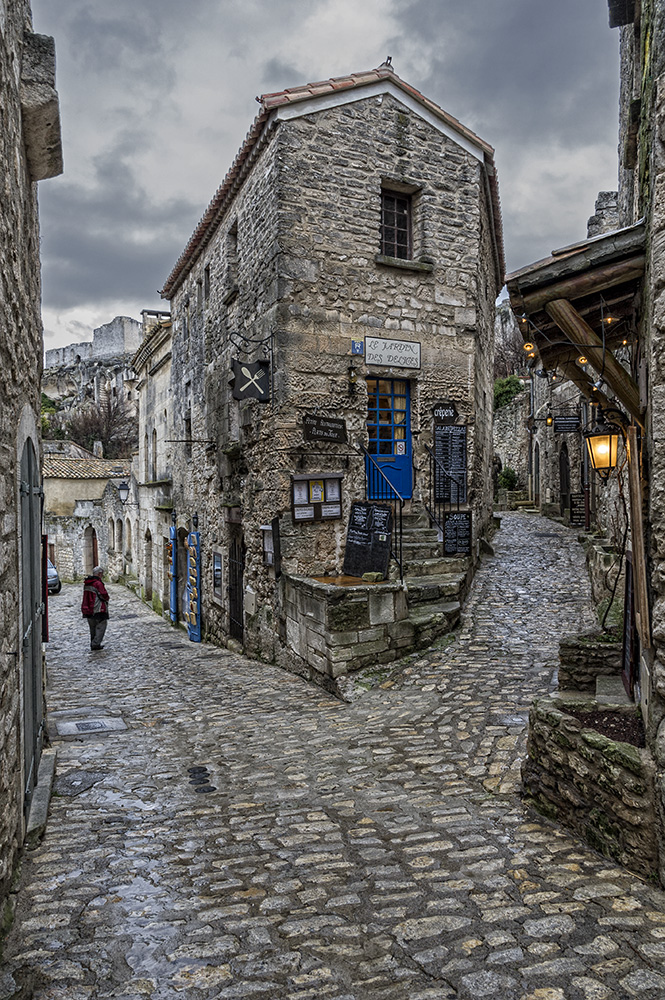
x=31 y=601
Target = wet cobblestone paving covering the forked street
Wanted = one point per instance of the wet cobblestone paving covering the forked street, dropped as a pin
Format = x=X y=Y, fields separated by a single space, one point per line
x=350 y=851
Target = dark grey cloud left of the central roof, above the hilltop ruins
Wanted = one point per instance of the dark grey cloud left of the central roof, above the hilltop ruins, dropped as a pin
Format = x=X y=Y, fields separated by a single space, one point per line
x=108 y=242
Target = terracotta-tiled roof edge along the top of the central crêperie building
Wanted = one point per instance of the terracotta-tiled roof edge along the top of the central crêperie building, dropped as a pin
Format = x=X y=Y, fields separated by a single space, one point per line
x=293 y=95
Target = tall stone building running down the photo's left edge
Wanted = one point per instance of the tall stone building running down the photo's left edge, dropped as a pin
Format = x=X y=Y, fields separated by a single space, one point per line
x=30 y=151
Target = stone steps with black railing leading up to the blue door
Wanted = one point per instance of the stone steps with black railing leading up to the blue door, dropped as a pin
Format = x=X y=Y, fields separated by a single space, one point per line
x=436 y=585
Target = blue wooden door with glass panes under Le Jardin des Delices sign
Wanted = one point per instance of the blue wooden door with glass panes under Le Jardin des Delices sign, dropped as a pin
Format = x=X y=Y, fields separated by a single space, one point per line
x=389 y=430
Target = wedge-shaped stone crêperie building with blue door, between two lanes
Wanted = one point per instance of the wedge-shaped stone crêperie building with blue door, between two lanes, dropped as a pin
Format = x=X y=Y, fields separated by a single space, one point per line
x=337 y=295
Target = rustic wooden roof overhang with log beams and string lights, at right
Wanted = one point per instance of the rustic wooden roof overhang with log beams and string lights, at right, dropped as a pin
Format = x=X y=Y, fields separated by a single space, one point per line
x=581 y=301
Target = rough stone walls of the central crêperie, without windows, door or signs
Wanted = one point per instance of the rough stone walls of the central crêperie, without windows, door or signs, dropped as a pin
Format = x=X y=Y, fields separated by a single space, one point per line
x=292 y=275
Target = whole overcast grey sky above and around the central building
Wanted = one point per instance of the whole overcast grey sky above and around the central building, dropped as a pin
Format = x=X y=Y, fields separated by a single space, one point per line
x=157 y=95
